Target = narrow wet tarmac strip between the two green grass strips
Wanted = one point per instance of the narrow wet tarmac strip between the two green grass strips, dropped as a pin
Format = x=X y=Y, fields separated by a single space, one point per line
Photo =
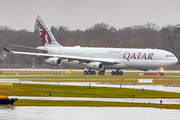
x=132 y=100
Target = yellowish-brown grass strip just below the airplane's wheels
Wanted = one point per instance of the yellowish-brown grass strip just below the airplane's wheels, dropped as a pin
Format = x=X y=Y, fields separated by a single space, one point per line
x=127 y=78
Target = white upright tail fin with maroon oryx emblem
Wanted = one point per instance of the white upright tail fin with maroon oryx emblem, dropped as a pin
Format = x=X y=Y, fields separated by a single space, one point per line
x=47 y=38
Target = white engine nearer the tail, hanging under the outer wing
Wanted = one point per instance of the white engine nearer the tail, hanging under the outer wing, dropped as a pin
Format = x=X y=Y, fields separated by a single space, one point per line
x=53 y=61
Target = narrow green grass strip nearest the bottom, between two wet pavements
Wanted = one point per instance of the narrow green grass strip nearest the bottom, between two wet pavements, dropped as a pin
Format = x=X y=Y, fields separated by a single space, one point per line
x=91 y=104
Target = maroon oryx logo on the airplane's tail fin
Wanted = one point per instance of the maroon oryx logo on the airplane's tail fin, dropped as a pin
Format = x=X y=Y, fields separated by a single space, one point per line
x=43 y=34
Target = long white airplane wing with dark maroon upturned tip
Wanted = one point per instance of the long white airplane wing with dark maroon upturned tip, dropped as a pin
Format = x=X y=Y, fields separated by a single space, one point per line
x=63 y=56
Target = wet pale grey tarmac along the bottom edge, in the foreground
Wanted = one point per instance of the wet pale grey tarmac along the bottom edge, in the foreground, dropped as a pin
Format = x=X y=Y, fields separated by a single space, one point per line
x=87 y=113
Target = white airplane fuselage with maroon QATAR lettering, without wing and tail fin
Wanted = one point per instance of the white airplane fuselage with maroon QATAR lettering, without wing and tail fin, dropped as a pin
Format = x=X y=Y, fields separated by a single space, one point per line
x=123 y=57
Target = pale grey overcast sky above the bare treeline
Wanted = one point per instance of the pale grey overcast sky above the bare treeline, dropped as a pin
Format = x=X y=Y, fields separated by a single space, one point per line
x=82 y=14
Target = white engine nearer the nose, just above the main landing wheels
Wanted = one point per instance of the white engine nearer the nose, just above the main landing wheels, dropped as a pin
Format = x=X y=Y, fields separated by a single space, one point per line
x=95 y=65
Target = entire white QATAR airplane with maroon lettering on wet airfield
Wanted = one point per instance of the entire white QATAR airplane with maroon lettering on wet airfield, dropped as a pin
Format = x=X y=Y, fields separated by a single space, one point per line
x=98 y=59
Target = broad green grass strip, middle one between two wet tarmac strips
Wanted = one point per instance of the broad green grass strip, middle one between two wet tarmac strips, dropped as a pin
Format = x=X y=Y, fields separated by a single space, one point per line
x=82 y=91
